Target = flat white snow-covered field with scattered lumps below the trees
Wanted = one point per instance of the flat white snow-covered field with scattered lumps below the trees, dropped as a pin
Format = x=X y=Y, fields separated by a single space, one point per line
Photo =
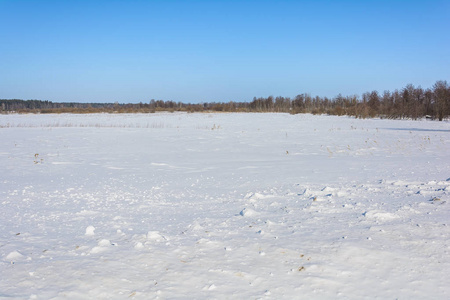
x=235 y=206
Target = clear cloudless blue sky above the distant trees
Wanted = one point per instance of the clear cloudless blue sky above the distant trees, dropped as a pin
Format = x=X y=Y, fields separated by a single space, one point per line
x=205 y=51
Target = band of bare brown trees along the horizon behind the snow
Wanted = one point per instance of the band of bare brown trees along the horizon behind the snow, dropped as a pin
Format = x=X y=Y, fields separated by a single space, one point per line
x=409 y=102
